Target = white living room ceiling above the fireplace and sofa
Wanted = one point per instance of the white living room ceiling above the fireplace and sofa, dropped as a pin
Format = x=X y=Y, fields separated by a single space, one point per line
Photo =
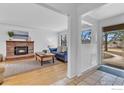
x=32 y=16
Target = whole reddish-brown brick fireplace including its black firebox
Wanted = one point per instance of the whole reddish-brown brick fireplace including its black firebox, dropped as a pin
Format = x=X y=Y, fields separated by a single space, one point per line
x=19 y=49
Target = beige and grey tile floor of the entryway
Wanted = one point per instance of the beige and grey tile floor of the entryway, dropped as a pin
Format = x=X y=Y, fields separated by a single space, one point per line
x=93 y=78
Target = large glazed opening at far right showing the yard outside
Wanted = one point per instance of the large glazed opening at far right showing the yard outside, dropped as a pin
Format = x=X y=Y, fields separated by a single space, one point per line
x=113 y=45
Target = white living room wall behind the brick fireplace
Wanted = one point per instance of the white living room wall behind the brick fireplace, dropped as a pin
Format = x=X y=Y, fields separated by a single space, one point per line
x=41 y=37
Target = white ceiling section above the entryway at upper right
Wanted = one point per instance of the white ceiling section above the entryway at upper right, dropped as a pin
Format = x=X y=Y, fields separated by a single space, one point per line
x=107 y=11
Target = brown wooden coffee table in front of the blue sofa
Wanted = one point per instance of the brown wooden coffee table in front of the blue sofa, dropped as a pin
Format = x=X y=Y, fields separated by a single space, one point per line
x=47 y=56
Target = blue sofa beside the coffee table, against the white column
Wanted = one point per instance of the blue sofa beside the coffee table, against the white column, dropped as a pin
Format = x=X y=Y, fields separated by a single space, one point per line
x=59 y=55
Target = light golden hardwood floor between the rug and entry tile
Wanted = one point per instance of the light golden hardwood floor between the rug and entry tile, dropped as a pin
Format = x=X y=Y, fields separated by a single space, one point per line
x=44 y=76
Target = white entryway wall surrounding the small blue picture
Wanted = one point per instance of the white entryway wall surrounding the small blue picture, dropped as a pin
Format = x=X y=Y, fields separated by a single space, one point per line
x=87 y=53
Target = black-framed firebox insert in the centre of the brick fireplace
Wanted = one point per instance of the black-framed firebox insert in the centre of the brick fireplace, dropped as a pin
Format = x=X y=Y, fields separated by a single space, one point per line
x=21 y=50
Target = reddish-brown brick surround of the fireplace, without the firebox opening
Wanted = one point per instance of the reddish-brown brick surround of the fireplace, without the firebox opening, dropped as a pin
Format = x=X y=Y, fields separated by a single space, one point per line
x=10 y=49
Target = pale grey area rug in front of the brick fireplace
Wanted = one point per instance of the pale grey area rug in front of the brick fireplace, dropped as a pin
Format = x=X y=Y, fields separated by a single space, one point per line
x=21 y=67
